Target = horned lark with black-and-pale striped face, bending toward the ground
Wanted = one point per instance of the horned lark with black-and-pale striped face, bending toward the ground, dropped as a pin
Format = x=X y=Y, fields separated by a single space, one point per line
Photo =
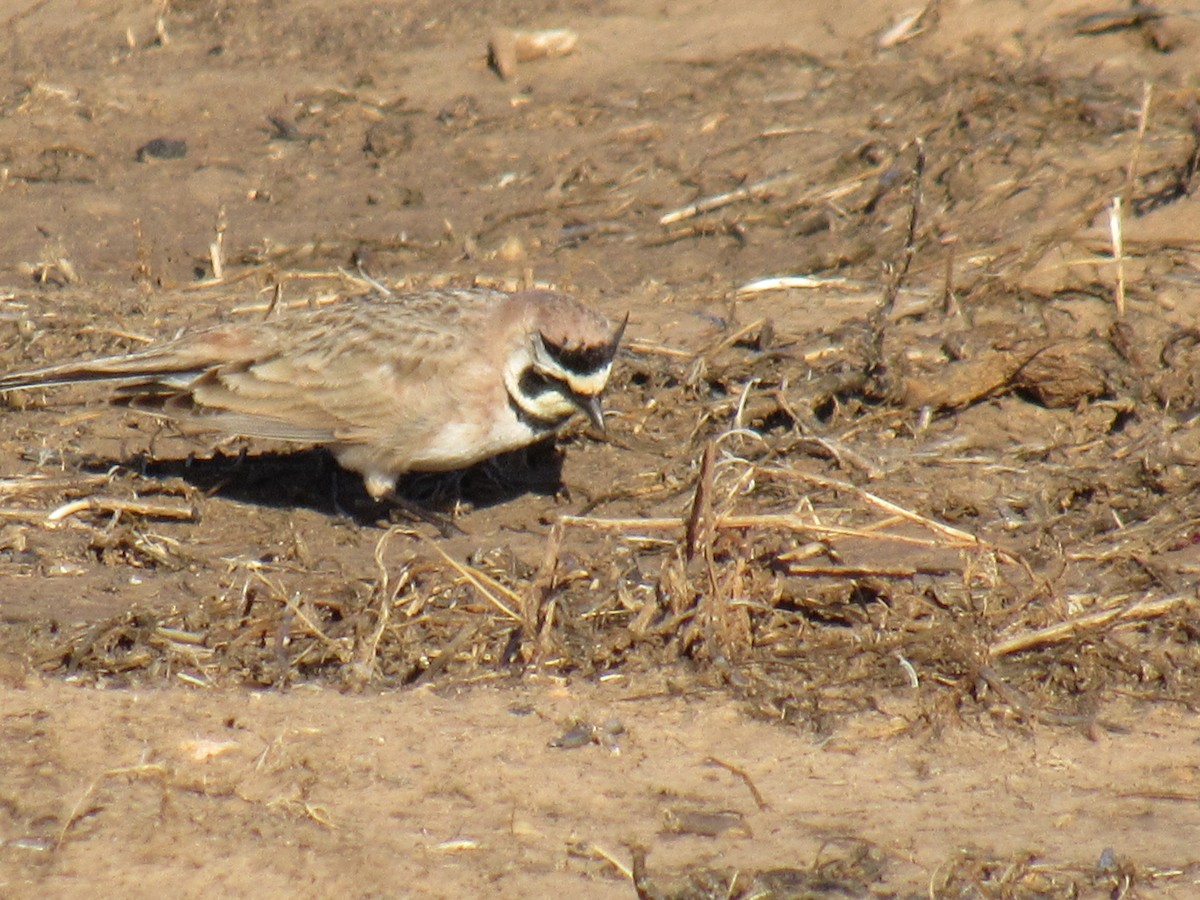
x=425 y=382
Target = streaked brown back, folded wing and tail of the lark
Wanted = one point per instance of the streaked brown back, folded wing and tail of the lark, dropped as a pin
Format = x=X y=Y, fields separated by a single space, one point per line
x=350 y=373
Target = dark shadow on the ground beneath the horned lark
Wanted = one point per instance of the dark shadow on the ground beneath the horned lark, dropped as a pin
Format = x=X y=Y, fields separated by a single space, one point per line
x=313 y=479
